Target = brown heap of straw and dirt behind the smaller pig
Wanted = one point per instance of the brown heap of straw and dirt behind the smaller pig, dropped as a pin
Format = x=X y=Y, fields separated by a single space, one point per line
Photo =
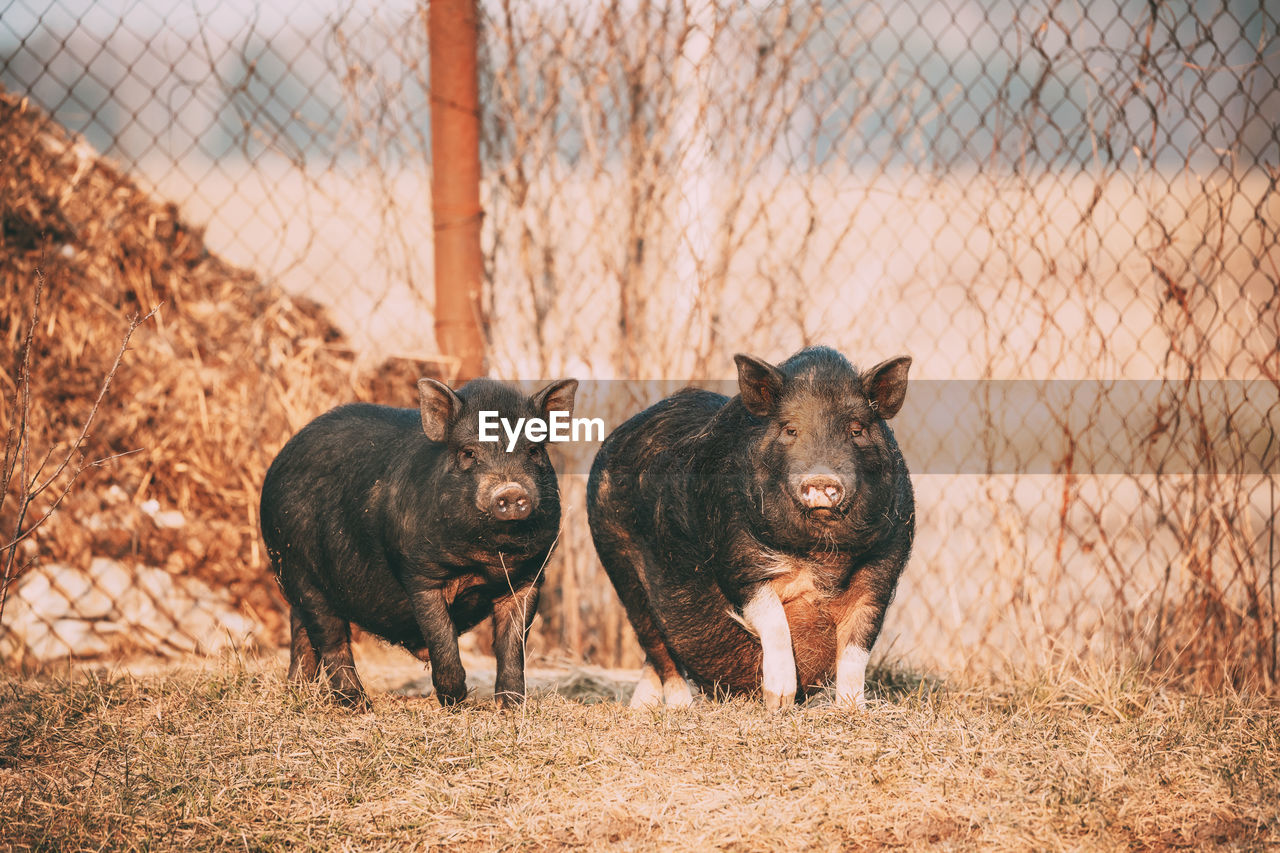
x=209 y=391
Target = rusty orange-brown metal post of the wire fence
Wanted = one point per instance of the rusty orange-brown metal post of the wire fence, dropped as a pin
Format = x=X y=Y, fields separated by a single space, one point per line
x=452 y=44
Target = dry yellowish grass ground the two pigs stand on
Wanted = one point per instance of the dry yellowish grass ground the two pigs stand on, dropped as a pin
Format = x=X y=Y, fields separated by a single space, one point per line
x=227 y=755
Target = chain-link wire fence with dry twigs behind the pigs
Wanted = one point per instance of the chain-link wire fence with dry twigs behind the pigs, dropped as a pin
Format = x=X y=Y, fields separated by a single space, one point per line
x=1009 y=193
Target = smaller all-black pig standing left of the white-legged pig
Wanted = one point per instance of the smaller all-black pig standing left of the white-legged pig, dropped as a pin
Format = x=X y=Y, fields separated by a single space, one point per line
x=404 y=523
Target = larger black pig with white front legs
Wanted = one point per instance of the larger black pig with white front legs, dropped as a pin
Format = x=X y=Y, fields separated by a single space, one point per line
x=758 y=541
